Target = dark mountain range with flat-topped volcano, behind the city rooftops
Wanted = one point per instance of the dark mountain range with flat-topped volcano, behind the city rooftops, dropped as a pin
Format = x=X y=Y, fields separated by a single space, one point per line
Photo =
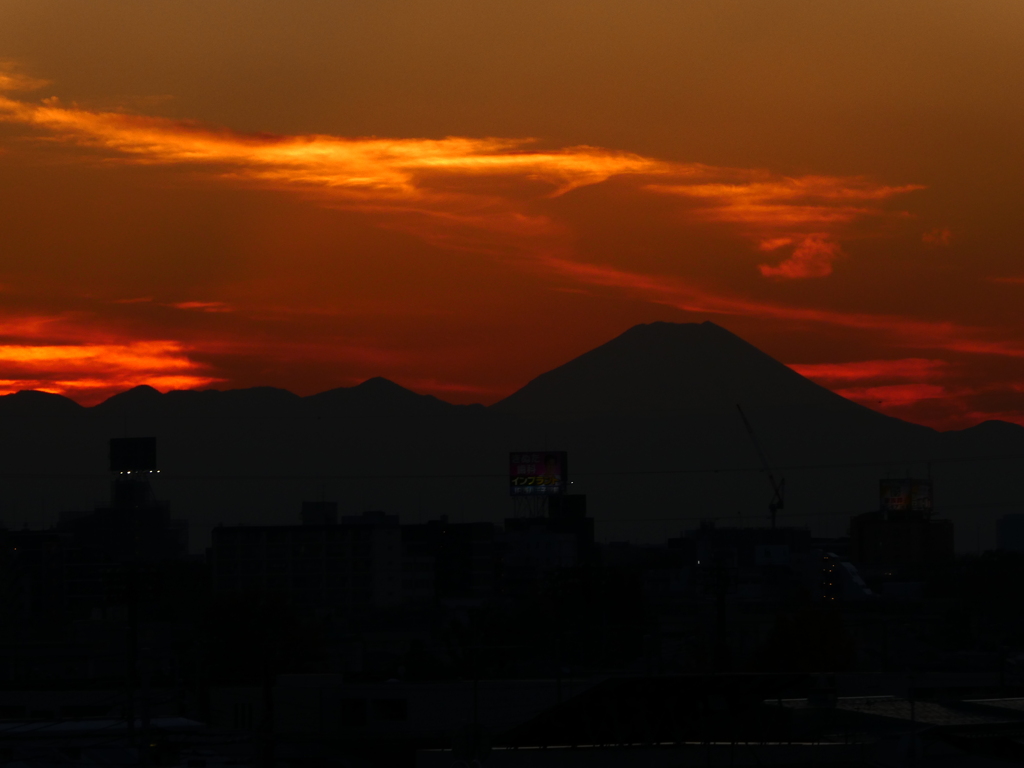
x=650 y=419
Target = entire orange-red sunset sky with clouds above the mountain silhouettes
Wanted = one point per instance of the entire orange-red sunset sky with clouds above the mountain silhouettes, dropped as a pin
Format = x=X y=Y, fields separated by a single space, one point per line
x=460 y=196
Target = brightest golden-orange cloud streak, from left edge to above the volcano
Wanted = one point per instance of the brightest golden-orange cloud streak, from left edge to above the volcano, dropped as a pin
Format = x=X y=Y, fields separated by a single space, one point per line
x=370 y=169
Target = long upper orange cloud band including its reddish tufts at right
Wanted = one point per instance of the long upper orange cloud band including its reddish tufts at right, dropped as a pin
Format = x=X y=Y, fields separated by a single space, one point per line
x=446 y=191
